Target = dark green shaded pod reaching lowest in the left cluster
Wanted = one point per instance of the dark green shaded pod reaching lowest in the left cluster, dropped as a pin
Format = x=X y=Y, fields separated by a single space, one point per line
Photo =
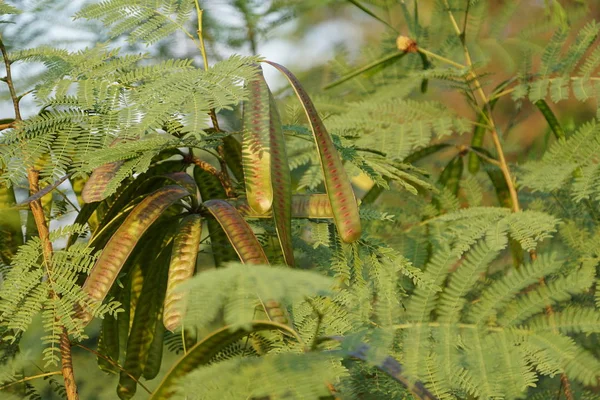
x=143 y=355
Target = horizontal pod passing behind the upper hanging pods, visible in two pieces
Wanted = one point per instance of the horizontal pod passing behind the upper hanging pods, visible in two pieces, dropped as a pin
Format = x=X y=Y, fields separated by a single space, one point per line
x=313 y=206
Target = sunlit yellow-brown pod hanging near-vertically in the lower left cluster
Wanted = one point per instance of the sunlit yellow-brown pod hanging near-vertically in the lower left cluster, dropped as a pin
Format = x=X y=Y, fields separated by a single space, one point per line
x=181 y=268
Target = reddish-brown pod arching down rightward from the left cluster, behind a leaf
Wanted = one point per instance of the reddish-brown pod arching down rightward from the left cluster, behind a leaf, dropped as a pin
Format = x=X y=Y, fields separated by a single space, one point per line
x=238 y=232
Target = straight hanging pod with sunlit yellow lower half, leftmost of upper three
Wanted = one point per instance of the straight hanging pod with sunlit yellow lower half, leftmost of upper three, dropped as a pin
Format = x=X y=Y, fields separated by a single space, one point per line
x=256 y=152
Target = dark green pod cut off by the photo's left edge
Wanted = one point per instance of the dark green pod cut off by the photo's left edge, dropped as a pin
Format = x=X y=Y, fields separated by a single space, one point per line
x=11 y=236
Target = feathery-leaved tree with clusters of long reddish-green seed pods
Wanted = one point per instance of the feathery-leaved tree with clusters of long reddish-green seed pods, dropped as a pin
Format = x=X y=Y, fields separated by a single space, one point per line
x=229 y=263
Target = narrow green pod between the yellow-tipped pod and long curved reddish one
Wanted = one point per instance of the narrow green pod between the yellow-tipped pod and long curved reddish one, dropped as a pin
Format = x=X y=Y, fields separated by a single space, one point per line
x=282 y=184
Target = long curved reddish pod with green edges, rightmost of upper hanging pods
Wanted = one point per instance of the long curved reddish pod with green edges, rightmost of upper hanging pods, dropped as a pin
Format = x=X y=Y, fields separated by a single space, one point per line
x=337 y=184
